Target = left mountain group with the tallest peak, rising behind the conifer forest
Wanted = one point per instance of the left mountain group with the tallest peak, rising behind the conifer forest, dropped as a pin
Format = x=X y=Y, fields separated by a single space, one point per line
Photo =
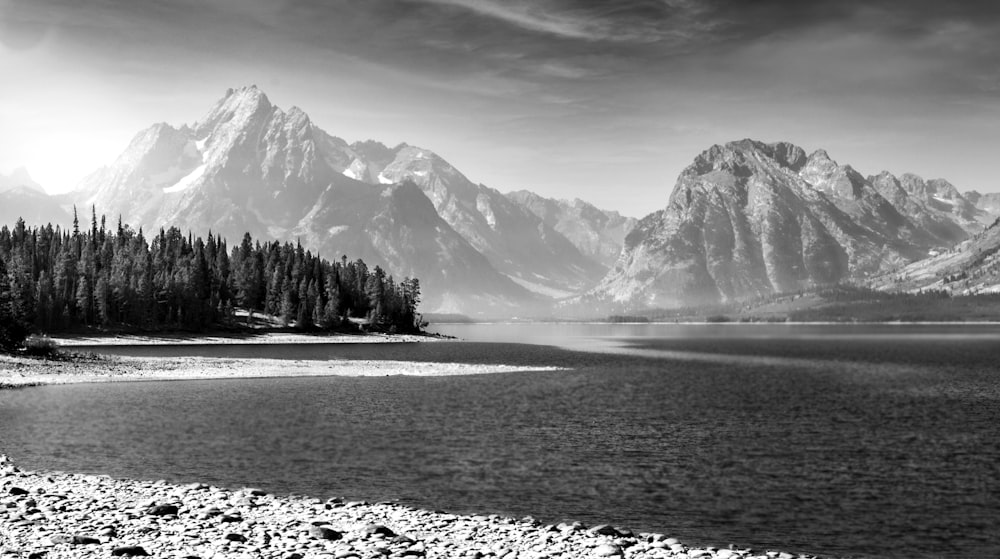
x=248 y=166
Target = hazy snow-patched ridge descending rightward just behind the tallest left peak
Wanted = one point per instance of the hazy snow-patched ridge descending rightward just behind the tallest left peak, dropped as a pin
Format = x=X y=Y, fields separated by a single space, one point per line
x=515 y=241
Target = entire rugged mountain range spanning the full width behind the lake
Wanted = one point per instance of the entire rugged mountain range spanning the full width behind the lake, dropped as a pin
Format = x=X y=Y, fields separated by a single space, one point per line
x=745 y=219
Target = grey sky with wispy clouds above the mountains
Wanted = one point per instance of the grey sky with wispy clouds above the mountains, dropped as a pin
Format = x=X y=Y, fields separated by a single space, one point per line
x=606 y=101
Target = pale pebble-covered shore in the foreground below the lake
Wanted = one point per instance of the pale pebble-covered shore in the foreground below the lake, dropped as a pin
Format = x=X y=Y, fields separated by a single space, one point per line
x=52 y=515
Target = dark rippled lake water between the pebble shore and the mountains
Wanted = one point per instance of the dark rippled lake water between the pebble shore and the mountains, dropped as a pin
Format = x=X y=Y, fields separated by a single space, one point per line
x=854 y=441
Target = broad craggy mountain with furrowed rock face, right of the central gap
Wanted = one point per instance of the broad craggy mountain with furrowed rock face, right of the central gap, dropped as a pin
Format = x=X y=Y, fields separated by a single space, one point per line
x=749 y=219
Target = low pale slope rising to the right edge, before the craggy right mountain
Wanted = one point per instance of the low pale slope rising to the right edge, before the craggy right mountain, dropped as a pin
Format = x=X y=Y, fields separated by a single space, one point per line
x=970 y=267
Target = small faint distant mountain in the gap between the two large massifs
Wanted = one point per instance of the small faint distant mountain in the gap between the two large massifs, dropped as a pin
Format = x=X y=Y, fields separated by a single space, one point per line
x=597 y=234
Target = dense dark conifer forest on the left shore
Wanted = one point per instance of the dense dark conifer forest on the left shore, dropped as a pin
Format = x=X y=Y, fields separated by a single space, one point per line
x=54 y=280
